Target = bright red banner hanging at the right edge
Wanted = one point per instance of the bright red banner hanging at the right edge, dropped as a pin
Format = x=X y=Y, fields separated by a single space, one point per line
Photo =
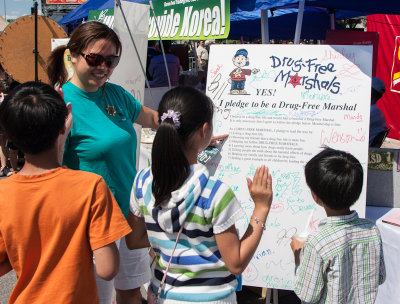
x=388 y=67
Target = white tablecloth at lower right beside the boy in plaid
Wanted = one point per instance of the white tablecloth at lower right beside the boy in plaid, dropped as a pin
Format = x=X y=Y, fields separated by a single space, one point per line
x=389 y=291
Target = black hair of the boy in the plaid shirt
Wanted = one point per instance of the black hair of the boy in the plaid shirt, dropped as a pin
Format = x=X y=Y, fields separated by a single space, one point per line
x=336 y=177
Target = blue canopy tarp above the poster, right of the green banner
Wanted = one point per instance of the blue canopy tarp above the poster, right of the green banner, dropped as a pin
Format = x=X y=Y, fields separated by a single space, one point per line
x=282 y=17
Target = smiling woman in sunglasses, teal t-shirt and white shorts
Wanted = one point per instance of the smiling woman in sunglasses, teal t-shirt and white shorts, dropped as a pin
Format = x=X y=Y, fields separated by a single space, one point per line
x=102 y=139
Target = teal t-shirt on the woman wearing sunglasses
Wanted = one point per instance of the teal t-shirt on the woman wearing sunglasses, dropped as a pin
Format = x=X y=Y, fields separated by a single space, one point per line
x=102 y=139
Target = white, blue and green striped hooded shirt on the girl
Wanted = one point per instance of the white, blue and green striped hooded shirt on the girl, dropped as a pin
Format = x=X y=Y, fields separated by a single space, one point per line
x=207 y=207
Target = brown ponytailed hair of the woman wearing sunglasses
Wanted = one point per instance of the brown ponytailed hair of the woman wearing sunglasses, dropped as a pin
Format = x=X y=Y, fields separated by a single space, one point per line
x=81 y=37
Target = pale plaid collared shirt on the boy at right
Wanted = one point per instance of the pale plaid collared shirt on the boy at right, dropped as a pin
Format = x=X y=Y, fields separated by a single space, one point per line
x=341 y=263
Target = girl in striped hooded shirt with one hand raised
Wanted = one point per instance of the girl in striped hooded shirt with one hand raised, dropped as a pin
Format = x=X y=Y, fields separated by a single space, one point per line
x=178 y=191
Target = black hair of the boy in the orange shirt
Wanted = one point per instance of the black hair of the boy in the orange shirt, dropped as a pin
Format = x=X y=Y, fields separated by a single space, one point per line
x=32 y=116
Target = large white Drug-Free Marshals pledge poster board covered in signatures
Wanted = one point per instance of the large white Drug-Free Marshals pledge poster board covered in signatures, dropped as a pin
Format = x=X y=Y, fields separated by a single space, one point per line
x=279 y=110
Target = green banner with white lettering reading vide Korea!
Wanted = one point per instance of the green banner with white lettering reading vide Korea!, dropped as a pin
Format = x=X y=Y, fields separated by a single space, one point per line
x=190 y=19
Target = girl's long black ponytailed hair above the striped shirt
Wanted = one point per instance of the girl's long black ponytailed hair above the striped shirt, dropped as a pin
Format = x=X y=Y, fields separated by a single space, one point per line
x=170 y=167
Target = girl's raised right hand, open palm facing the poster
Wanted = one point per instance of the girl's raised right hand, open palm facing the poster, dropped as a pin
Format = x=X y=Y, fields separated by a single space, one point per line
x=261 y=188
